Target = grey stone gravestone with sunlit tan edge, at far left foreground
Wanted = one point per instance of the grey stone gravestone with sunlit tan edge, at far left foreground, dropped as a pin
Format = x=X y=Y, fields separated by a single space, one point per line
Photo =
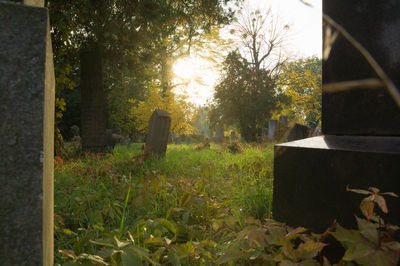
x=27 y=135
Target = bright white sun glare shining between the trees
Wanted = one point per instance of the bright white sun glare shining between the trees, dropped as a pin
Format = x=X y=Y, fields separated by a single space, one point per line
x=199 y=77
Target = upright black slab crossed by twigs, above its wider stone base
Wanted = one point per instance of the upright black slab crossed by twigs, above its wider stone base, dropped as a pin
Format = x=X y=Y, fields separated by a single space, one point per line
x=362 y=111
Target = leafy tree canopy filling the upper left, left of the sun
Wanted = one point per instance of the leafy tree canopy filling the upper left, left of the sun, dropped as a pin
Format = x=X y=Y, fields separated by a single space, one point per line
x=137 y=41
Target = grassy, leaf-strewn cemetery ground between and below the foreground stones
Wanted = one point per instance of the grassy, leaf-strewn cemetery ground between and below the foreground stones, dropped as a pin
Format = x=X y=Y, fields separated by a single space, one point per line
x=197 y=206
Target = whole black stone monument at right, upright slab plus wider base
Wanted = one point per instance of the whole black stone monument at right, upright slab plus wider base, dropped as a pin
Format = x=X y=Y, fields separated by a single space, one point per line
x=362 y=145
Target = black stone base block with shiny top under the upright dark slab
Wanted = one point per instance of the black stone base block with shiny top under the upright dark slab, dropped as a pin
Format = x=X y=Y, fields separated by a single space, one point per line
x=311 y=175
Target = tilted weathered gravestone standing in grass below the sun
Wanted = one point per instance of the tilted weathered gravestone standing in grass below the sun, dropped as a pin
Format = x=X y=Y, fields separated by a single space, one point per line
x=158 y=132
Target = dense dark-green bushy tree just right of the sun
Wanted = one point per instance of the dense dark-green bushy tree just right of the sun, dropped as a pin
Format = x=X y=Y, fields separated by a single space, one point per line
x=244 y=97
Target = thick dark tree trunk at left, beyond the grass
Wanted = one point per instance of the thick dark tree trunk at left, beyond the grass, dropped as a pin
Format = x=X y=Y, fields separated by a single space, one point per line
x=93 y=102
